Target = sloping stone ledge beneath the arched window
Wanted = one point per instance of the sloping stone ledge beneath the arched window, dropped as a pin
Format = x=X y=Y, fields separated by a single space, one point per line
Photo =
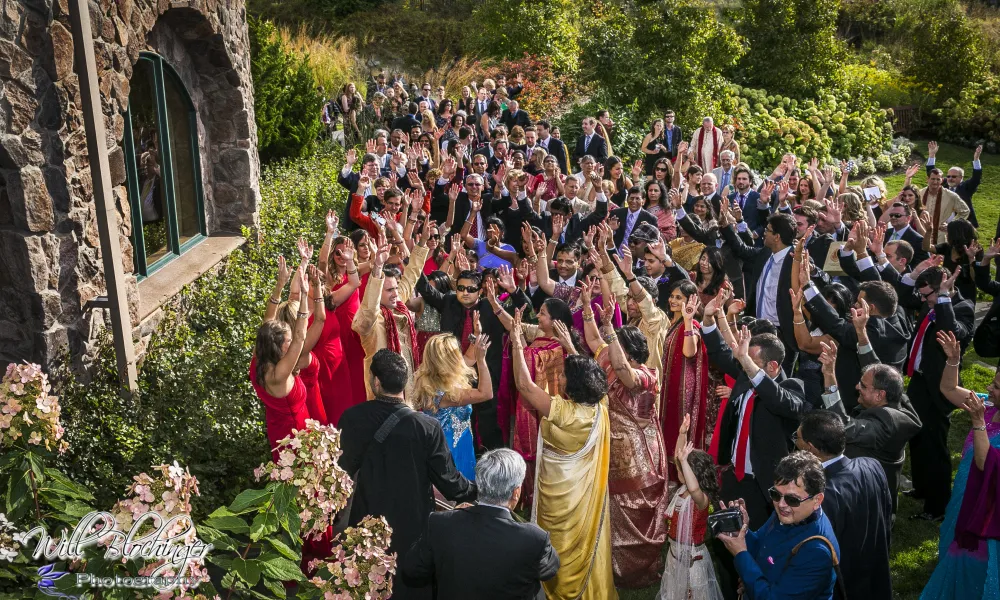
x=167 y=282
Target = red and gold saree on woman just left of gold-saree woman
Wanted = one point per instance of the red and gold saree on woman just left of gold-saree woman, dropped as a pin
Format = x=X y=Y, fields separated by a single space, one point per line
x=518 y=420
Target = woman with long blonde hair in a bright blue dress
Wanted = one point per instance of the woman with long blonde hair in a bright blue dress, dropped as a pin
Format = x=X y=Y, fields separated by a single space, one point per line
x=443 y=389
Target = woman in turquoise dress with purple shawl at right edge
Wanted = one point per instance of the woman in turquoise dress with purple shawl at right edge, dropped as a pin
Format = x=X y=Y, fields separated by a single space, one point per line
x=969 y=547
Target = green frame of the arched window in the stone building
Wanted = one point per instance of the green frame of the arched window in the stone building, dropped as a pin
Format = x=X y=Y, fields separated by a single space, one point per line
x=163 y=74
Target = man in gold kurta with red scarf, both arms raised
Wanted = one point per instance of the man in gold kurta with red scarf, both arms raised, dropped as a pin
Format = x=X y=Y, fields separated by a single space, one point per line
x=391 y=293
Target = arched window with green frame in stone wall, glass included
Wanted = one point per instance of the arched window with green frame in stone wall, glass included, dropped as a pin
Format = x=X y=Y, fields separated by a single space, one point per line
x=163 y=165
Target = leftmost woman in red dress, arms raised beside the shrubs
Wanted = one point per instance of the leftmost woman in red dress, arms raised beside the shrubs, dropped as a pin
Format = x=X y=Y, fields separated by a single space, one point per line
x=277 y=352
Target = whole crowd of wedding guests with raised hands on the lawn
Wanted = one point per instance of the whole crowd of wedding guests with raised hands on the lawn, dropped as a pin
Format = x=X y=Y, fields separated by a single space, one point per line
x=682 y=371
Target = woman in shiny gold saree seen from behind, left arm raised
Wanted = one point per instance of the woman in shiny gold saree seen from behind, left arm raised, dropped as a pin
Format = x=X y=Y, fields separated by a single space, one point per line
x=571 y=476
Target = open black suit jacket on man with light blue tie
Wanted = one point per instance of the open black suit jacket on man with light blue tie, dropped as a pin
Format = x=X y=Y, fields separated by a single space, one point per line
x=757 y=259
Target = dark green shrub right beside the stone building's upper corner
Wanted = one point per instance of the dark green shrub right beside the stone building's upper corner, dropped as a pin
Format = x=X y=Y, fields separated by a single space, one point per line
x=287 y=105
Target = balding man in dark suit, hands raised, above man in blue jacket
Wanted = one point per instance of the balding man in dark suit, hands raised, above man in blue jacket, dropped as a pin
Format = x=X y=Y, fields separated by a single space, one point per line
x=884 y=420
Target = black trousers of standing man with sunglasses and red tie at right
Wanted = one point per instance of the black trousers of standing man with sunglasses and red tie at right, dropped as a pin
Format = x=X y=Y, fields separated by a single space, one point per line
x=930 y=459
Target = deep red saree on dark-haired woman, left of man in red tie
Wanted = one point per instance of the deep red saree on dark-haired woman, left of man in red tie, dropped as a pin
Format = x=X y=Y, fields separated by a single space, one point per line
x=685 y=391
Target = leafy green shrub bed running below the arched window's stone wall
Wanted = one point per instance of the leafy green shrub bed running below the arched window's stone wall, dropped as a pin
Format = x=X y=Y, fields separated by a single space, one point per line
x=195 y=403
